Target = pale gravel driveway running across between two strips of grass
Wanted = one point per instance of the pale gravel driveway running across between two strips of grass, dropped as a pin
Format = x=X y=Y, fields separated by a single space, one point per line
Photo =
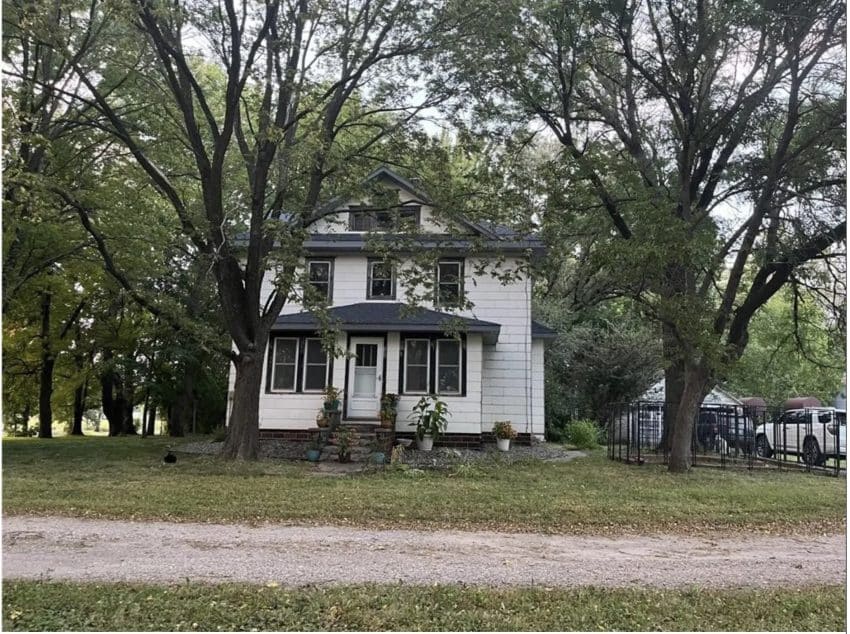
x=97 y=550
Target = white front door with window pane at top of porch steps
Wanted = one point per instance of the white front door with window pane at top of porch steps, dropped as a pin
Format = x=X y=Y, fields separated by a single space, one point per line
x=365 y=377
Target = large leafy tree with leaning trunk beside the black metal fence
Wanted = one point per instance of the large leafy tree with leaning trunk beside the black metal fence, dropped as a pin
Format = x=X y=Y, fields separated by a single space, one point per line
x=710 y=137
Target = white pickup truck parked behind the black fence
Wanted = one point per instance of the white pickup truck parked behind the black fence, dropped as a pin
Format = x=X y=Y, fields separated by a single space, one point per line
x=813 y=434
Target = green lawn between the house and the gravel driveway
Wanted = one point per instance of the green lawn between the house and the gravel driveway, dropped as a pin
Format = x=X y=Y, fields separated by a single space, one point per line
x=125 y=478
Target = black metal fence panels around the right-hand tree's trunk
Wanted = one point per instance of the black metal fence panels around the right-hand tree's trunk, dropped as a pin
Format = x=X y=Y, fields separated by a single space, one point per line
x=724 y=435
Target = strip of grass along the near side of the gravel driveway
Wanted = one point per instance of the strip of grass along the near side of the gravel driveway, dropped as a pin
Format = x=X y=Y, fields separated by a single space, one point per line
x=37 y=606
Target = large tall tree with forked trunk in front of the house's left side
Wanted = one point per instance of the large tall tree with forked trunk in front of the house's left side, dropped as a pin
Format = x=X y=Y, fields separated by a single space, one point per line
x=261 y=144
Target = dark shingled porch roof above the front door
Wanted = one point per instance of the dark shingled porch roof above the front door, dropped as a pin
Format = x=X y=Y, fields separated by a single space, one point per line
x=390 y=316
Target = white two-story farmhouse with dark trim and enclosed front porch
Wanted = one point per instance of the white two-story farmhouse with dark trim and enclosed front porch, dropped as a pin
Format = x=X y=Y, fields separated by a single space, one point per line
x=484 y=361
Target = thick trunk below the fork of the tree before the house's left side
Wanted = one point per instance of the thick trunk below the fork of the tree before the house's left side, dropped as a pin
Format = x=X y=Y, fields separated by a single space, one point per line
x=243 y=432
